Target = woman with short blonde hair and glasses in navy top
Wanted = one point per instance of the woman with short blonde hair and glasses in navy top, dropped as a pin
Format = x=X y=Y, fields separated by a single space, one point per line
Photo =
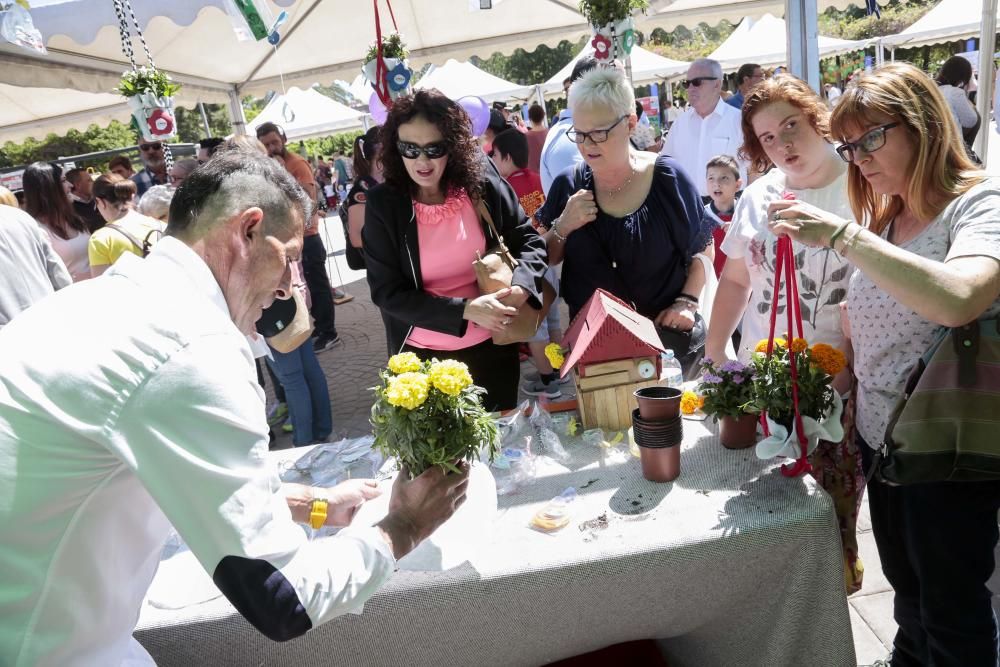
x=629 y=221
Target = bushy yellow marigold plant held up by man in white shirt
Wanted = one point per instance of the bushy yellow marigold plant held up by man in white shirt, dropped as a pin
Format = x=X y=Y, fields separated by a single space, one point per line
x=435 y=428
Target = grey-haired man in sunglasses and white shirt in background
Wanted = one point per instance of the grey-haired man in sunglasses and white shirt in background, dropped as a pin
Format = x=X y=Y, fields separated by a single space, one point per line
x=709 y=127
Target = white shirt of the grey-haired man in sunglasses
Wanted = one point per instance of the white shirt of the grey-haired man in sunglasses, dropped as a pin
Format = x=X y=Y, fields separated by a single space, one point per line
x=694 y=140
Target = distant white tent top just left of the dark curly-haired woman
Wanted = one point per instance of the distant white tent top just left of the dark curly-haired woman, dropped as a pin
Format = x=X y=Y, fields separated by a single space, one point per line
x=307 y=113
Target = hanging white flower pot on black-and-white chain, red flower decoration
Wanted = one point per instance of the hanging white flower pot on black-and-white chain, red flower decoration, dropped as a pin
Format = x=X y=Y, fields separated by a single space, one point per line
x=149 y=91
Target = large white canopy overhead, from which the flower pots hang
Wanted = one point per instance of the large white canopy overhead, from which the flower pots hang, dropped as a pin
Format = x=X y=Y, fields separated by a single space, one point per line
x=195 y=41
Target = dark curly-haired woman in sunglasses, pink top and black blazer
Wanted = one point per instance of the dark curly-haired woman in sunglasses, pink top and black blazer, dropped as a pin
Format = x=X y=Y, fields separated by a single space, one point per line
x=423 y=229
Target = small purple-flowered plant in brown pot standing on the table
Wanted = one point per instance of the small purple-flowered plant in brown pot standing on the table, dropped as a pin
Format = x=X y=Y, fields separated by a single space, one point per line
x=728 y=393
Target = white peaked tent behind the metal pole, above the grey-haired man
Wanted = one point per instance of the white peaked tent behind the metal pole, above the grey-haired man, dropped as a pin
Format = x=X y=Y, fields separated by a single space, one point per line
x=762 y=41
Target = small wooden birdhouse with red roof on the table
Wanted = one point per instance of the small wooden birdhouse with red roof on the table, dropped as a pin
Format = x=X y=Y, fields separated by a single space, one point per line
x=613 y=351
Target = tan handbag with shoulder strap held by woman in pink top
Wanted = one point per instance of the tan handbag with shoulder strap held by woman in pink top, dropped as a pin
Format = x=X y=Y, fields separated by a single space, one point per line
x=495 y=272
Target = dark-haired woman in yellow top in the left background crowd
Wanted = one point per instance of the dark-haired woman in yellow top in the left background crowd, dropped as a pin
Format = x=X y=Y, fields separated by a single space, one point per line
x=127 y=229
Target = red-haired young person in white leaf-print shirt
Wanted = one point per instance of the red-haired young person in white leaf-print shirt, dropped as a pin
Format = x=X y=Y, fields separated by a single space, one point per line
x=786 y=128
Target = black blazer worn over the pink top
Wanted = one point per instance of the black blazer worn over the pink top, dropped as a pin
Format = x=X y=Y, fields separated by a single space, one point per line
x=392 y=256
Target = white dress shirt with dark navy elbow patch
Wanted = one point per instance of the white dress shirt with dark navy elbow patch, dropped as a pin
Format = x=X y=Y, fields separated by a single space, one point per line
x=129 y=403
